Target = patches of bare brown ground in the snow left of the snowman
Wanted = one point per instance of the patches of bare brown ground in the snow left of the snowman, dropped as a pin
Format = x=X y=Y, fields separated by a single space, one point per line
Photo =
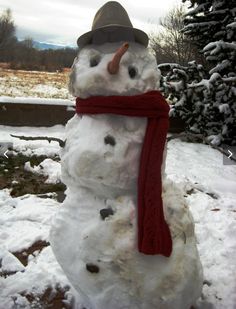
x=14 y=177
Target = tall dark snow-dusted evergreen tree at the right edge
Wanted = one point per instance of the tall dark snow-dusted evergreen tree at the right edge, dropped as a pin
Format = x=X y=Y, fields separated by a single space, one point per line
x=209 y=106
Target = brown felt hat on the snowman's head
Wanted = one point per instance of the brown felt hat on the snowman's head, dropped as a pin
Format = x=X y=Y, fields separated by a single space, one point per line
x=112 y=24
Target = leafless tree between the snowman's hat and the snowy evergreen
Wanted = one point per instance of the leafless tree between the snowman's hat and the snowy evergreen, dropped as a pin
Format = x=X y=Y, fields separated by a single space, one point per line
x=170 y=44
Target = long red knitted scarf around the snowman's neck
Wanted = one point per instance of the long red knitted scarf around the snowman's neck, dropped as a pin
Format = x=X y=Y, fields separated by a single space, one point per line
x=153 y=232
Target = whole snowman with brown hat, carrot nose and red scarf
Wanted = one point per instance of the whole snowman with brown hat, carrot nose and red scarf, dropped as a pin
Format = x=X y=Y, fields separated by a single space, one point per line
x=124 y=235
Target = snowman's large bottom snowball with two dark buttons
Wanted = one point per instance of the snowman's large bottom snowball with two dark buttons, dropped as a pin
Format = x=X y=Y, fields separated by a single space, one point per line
x=101 y=260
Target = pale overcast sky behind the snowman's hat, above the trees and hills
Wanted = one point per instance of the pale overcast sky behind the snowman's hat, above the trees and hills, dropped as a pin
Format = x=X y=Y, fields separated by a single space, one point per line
x=63 y=21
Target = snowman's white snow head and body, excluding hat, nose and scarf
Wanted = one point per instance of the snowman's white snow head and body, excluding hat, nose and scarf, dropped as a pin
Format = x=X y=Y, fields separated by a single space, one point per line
x=100 y=165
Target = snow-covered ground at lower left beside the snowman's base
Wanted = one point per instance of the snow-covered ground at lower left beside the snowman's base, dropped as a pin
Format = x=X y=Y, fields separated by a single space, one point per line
x=25 y=220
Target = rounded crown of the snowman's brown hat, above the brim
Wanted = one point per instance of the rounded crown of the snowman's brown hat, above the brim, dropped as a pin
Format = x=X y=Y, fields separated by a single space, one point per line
x=111 y=13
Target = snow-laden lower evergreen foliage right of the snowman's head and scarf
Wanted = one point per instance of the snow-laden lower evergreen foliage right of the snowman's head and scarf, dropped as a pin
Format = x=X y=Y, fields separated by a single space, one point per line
x=206 y=103
